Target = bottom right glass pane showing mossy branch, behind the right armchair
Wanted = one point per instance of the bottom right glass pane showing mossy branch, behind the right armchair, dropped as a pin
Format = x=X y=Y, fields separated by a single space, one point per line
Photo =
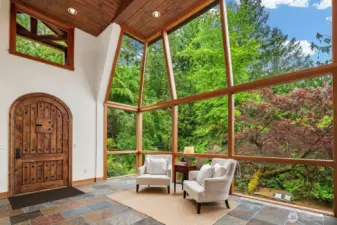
x=302 y=185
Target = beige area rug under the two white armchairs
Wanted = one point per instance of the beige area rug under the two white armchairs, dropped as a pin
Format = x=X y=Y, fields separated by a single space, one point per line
x=171 y=209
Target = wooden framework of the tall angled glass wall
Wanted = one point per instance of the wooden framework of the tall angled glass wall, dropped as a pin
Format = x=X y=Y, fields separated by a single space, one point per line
x=230 y=91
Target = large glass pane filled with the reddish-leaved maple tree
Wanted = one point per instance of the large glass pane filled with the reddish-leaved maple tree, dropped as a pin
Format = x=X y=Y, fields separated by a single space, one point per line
x=289 y=121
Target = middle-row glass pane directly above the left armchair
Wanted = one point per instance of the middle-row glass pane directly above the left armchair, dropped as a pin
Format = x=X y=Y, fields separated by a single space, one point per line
x=157 y=130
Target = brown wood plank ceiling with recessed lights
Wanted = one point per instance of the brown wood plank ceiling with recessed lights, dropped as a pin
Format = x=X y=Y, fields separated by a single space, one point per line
x=96 y=15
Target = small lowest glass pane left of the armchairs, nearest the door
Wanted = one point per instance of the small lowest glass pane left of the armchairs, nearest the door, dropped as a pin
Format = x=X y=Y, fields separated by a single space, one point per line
x=121 y=165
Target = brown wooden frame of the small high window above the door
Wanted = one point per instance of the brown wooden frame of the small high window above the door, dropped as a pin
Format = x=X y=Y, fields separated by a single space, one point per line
x=39 y=15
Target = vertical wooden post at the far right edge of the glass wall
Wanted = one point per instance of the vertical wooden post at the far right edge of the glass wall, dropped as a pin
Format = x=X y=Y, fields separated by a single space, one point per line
x=334 y=87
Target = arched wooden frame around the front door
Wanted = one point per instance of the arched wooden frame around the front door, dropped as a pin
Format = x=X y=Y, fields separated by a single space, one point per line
x=11 y=145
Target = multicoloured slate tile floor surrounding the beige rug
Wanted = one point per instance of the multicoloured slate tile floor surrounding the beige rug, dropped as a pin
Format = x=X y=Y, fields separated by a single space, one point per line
x=95 y=208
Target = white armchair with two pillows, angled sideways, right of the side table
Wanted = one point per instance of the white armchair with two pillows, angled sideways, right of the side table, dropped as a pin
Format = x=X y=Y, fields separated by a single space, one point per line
x=213 y=189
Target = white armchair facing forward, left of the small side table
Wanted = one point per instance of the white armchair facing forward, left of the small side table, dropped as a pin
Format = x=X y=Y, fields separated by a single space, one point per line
x=157 y=170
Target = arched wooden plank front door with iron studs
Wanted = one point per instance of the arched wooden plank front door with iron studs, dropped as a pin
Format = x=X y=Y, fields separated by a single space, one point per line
x=40 y=144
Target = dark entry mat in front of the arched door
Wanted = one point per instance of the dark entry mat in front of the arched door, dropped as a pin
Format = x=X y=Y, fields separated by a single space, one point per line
x=19 y=202
